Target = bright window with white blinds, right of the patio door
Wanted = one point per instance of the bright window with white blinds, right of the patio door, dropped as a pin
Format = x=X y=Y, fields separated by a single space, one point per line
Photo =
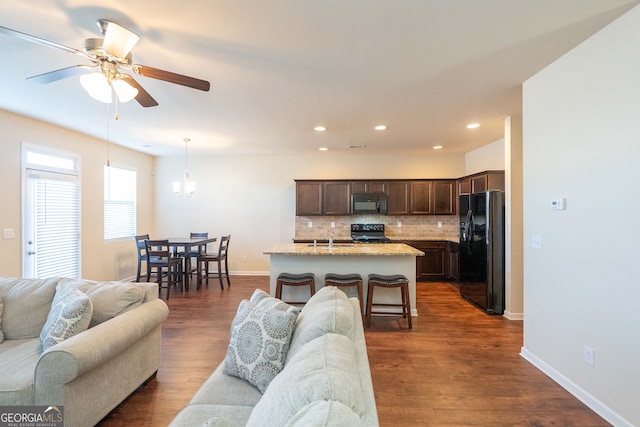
x=119 y=203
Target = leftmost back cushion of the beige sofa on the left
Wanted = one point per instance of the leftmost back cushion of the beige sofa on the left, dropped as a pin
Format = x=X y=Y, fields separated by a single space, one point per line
x=26 y=306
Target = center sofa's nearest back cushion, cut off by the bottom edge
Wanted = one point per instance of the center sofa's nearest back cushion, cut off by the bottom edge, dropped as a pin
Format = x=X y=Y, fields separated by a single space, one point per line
x=325 y=413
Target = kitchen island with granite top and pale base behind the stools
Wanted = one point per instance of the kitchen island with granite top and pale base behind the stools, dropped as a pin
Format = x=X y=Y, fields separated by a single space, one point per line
x=345 y=258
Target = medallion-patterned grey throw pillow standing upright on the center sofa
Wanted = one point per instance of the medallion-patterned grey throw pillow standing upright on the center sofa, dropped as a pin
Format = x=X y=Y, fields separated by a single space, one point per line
x=259 y=343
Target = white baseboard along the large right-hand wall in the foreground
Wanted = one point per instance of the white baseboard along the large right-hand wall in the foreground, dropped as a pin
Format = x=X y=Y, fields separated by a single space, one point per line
x=582 y=395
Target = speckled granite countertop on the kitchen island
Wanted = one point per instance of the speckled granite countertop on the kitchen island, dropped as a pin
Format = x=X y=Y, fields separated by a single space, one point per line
x=369 y=249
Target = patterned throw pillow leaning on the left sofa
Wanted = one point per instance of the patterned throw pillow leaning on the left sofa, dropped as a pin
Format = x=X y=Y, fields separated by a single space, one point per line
x=70 y=314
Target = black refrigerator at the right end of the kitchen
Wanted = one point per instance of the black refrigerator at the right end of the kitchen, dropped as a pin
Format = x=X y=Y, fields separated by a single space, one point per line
x=481 y=256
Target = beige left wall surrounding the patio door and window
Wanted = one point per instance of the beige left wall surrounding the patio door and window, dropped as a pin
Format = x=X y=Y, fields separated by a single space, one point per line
x=100 y=260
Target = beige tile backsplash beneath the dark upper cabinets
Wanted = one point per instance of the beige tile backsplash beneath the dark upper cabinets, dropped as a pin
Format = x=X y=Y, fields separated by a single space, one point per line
x=411 y=227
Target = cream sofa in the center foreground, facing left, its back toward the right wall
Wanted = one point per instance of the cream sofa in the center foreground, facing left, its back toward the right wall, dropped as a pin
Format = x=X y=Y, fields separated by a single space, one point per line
x=325 y=381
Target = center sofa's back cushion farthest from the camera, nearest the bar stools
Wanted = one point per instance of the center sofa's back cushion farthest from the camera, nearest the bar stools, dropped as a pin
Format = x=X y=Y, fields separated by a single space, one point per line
x=329 y=310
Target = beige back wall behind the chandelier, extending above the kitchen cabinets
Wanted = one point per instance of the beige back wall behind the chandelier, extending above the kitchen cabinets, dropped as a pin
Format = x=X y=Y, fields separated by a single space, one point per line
x=253 y=198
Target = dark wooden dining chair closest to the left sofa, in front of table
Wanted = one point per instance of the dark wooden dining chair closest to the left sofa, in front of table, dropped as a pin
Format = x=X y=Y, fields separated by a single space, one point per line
x=159 y=257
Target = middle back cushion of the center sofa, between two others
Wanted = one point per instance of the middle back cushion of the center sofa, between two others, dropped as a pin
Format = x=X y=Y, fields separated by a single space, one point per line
x=324 y=369
